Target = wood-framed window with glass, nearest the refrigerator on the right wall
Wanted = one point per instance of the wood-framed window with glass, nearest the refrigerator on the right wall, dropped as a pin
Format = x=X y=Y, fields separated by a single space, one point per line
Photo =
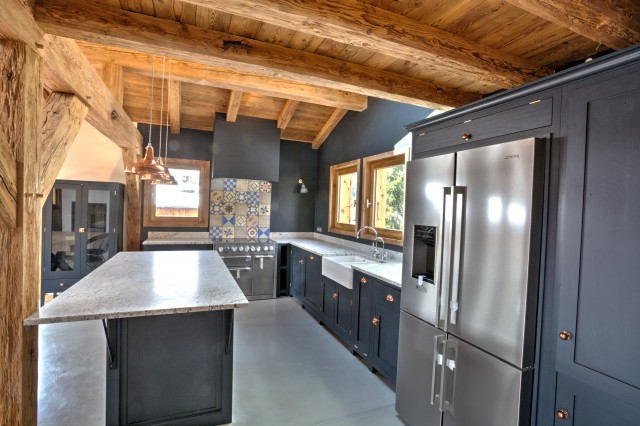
x=383 y=195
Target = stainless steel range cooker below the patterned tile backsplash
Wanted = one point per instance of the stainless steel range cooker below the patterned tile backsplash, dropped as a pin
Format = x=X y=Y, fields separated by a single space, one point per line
x=252 y=262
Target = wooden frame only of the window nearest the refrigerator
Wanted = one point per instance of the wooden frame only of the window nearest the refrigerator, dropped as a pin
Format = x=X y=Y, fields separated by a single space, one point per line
x=385 y=159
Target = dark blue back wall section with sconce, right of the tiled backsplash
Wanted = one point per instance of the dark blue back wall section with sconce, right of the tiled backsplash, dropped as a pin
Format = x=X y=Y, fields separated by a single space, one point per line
x=292 y=211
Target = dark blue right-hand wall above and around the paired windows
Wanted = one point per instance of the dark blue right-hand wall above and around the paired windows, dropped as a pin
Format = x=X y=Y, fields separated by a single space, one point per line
x=361 y=134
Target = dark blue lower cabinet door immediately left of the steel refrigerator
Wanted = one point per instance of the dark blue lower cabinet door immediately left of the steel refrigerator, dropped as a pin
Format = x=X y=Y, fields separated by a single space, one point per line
x=385 y=328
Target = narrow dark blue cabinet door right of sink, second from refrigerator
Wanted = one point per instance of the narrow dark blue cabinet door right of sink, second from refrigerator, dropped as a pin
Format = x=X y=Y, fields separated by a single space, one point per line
x=361 y=314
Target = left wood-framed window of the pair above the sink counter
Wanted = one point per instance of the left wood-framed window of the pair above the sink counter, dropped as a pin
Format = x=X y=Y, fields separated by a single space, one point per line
x=343 y=197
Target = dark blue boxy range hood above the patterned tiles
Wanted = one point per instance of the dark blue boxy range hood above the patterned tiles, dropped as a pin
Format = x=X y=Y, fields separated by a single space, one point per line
x=248 y=148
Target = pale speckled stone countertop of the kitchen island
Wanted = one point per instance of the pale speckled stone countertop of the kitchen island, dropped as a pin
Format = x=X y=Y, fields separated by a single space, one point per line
x=135 y=284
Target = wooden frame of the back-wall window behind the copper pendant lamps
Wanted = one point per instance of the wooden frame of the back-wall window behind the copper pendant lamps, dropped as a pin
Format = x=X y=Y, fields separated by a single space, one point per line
x=150 y=218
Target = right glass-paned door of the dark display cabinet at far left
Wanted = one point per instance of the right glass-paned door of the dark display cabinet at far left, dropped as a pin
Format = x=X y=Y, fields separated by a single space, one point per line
x=98 y=229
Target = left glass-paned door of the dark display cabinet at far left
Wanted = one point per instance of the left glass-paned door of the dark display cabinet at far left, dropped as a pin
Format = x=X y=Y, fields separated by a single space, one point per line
x=61 y=239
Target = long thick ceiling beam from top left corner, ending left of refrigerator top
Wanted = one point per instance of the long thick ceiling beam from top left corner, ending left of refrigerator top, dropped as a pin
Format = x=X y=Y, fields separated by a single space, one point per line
x=94 y=22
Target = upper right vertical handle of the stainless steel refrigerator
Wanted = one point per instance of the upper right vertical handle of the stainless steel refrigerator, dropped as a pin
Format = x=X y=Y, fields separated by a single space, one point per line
x=457 y=249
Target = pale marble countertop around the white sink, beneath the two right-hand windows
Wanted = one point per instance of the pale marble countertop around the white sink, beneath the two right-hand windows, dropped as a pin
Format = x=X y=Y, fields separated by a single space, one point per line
x=389 y=272
